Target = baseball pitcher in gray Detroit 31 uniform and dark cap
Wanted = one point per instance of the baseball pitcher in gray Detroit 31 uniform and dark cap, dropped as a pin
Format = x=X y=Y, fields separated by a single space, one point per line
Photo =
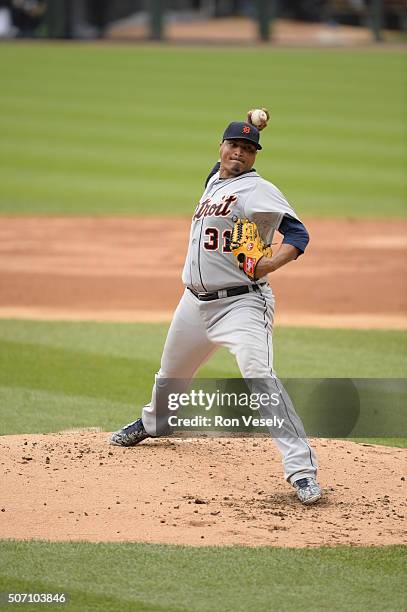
x=227 y=299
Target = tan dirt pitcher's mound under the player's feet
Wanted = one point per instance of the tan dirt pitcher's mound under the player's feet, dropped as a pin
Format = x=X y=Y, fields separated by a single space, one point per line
x=218 y=491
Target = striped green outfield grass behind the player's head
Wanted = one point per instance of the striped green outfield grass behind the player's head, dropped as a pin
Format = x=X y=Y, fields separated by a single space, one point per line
x=134 y=130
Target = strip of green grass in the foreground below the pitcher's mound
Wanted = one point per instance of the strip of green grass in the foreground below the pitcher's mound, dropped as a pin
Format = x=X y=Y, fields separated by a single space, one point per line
x=150 y=578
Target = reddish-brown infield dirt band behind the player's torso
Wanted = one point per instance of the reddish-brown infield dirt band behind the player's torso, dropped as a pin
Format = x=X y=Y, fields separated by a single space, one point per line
x=354 y=273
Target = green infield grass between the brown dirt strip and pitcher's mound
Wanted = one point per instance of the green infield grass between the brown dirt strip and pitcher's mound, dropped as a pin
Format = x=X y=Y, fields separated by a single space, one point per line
x=55 y=375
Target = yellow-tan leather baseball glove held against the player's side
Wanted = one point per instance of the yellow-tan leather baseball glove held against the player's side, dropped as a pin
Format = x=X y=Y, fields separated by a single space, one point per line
x=248 y=247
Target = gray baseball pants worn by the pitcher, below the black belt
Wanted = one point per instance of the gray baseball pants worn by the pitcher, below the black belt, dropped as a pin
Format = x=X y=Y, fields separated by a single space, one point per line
x=243 y=324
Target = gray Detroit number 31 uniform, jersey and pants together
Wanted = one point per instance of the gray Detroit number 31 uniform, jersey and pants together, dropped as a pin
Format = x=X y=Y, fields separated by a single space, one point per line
x=242 y=323
